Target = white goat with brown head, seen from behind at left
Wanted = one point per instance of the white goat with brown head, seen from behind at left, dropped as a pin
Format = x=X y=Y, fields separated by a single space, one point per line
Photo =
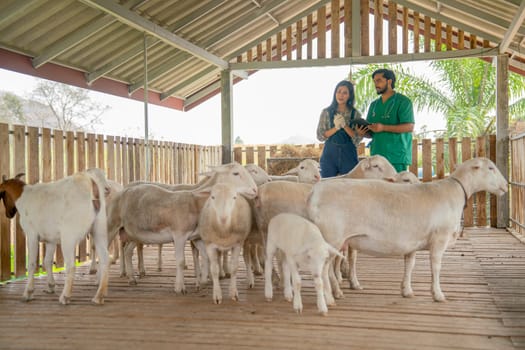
x=62 y=212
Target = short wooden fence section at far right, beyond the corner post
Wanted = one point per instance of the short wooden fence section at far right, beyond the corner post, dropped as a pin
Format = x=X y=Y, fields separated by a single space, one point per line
x=517 y=185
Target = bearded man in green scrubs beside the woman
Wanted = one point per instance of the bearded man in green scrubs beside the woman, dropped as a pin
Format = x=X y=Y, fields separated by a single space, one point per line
x=391 y=118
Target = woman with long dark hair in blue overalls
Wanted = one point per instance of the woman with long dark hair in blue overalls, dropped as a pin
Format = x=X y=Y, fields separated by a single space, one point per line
x=341 y=140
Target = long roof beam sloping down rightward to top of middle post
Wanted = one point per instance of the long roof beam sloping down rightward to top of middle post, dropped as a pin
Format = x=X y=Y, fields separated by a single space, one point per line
x=138 y=22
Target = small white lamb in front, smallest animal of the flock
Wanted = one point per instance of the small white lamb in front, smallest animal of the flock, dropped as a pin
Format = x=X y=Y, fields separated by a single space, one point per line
x=302 y=244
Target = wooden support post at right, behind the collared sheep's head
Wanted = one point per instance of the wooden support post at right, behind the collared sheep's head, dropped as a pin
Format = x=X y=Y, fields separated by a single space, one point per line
x=502 y=132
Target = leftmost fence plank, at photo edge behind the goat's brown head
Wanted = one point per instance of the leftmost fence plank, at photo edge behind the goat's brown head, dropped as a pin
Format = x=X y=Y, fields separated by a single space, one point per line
x=5 y=227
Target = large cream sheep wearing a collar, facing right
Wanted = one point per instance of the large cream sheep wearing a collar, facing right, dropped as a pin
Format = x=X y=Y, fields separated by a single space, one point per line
x=428 y=219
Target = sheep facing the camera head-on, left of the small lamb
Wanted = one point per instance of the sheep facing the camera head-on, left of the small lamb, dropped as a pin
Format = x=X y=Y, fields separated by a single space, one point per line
x=225 y=222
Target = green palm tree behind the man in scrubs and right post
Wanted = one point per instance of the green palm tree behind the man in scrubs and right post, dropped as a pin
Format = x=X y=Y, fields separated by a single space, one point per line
x=464 y=93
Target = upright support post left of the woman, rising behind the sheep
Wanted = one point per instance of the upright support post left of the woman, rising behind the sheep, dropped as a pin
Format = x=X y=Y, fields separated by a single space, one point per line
x=226 y=116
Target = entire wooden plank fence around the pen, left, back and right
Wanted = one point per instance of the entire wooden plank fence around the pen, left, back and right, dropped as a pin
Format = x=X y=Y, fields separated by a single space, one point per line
x=46 y=155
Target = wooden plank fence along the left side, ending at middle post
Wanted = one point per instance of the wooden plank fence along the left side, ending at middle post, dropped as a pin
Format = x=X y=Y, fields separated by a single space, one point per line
x=45 y=155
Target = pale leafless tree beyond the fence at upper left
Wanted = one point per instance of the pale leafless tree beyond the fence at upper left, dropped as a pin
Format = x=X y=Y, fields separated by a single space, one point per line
x=72 y=107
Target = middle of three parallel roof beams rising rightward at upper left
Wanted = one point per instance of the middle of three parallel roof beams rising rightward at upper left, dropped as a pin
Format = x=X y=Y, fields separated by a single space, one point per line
x=137 y=50
